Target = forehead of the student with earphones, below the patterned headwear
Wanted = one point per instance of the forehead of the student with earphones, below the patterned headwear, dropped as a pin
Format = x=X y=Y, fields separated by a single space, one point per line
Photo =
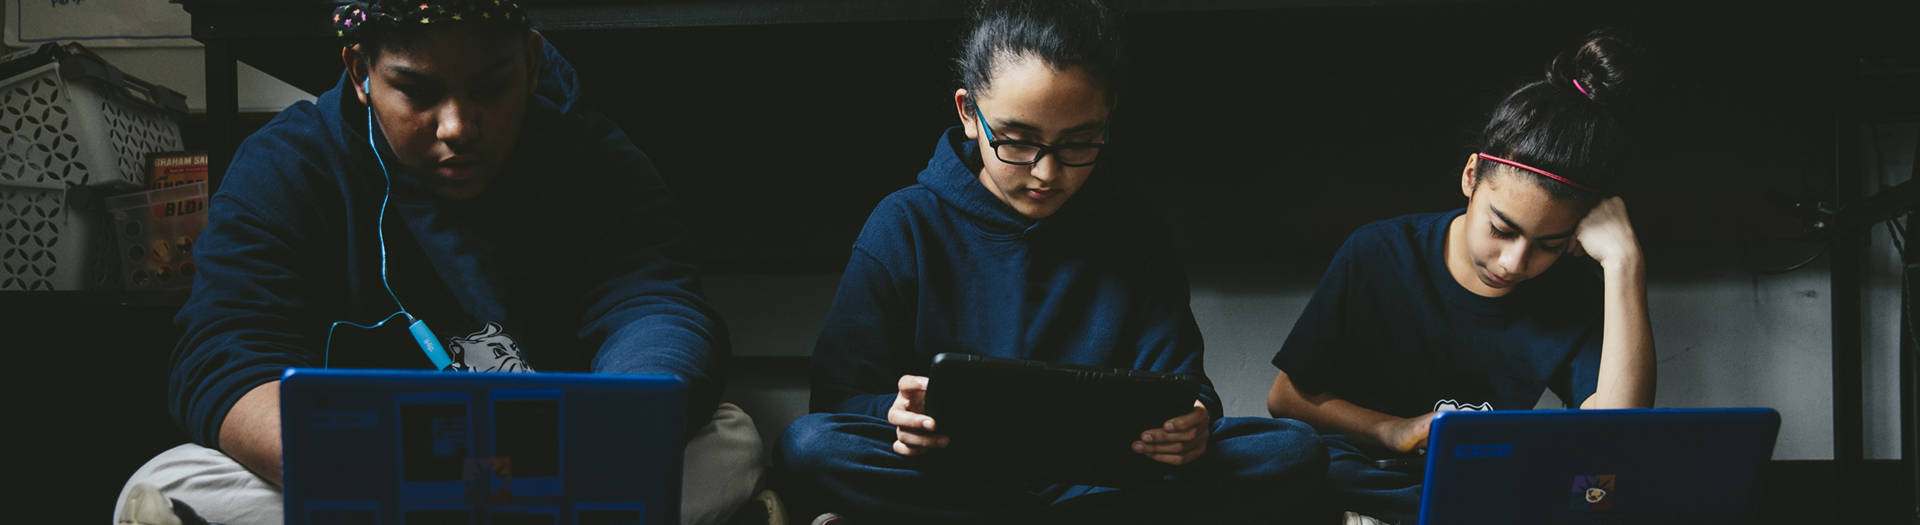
x=450 y=51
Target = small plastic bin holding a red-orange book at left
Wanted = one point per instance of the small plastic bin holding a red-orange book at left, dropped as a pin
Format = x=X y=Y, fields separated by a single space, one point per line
x=156 y=234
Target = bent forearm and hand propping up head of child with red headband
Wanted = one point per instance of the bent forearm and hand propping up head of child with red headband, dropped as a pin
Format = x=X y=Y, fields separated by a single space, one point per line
x=1627 y=361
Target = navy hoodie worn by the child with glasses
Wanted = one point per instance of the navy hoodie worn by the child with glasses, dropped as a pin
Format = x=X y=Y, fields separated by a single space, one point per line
x=946 y=266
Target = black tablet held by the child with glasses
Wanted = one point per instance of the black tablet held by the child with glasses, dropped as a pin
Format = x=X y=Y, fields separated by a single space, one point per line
x=1053 y=424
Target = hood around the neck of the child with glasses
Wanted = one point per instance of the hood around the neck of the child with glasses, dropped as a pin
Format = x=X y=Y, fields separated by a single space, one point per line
x=953 y=176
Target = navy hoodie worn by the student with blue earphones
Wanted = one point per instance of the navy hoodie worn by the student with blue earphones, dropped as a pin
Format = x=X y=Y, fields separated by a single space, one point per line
x=554 y=268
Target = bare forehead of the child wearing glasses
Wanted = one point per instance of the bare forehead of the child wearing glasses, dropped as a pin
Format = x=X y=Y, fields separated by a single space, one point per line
x=1034 y=91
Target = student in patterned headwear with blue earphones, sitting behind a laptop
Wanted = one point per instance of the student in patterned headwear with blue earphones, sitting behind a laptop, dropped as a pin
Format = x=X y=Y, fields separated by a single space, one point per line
x=475 y=197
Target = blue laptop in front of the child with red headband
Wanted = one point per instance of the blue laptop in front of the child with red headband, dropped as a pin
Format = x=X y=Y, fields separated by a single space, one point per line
x=1598 y=466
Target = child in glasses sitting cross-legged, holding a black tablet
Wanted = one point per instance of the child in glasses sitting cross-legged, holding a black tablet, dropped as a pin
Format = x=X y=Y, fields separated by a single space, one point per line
x=1022 y=243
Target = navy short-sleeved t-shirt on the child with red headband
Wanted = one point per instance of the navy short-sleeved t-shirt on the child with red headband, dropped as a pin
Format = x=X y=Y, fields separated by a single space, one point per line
x=1389 y=330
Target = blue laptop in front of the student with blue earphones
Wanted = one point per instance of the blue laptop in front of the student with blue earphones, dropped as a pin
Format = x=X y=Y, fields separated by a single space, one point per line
x=506 y=449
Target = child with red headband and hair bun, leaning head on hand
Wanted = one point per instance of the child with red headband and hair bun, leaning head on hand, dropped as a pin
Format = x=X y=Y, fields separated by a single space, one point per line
x=1477 y=309
